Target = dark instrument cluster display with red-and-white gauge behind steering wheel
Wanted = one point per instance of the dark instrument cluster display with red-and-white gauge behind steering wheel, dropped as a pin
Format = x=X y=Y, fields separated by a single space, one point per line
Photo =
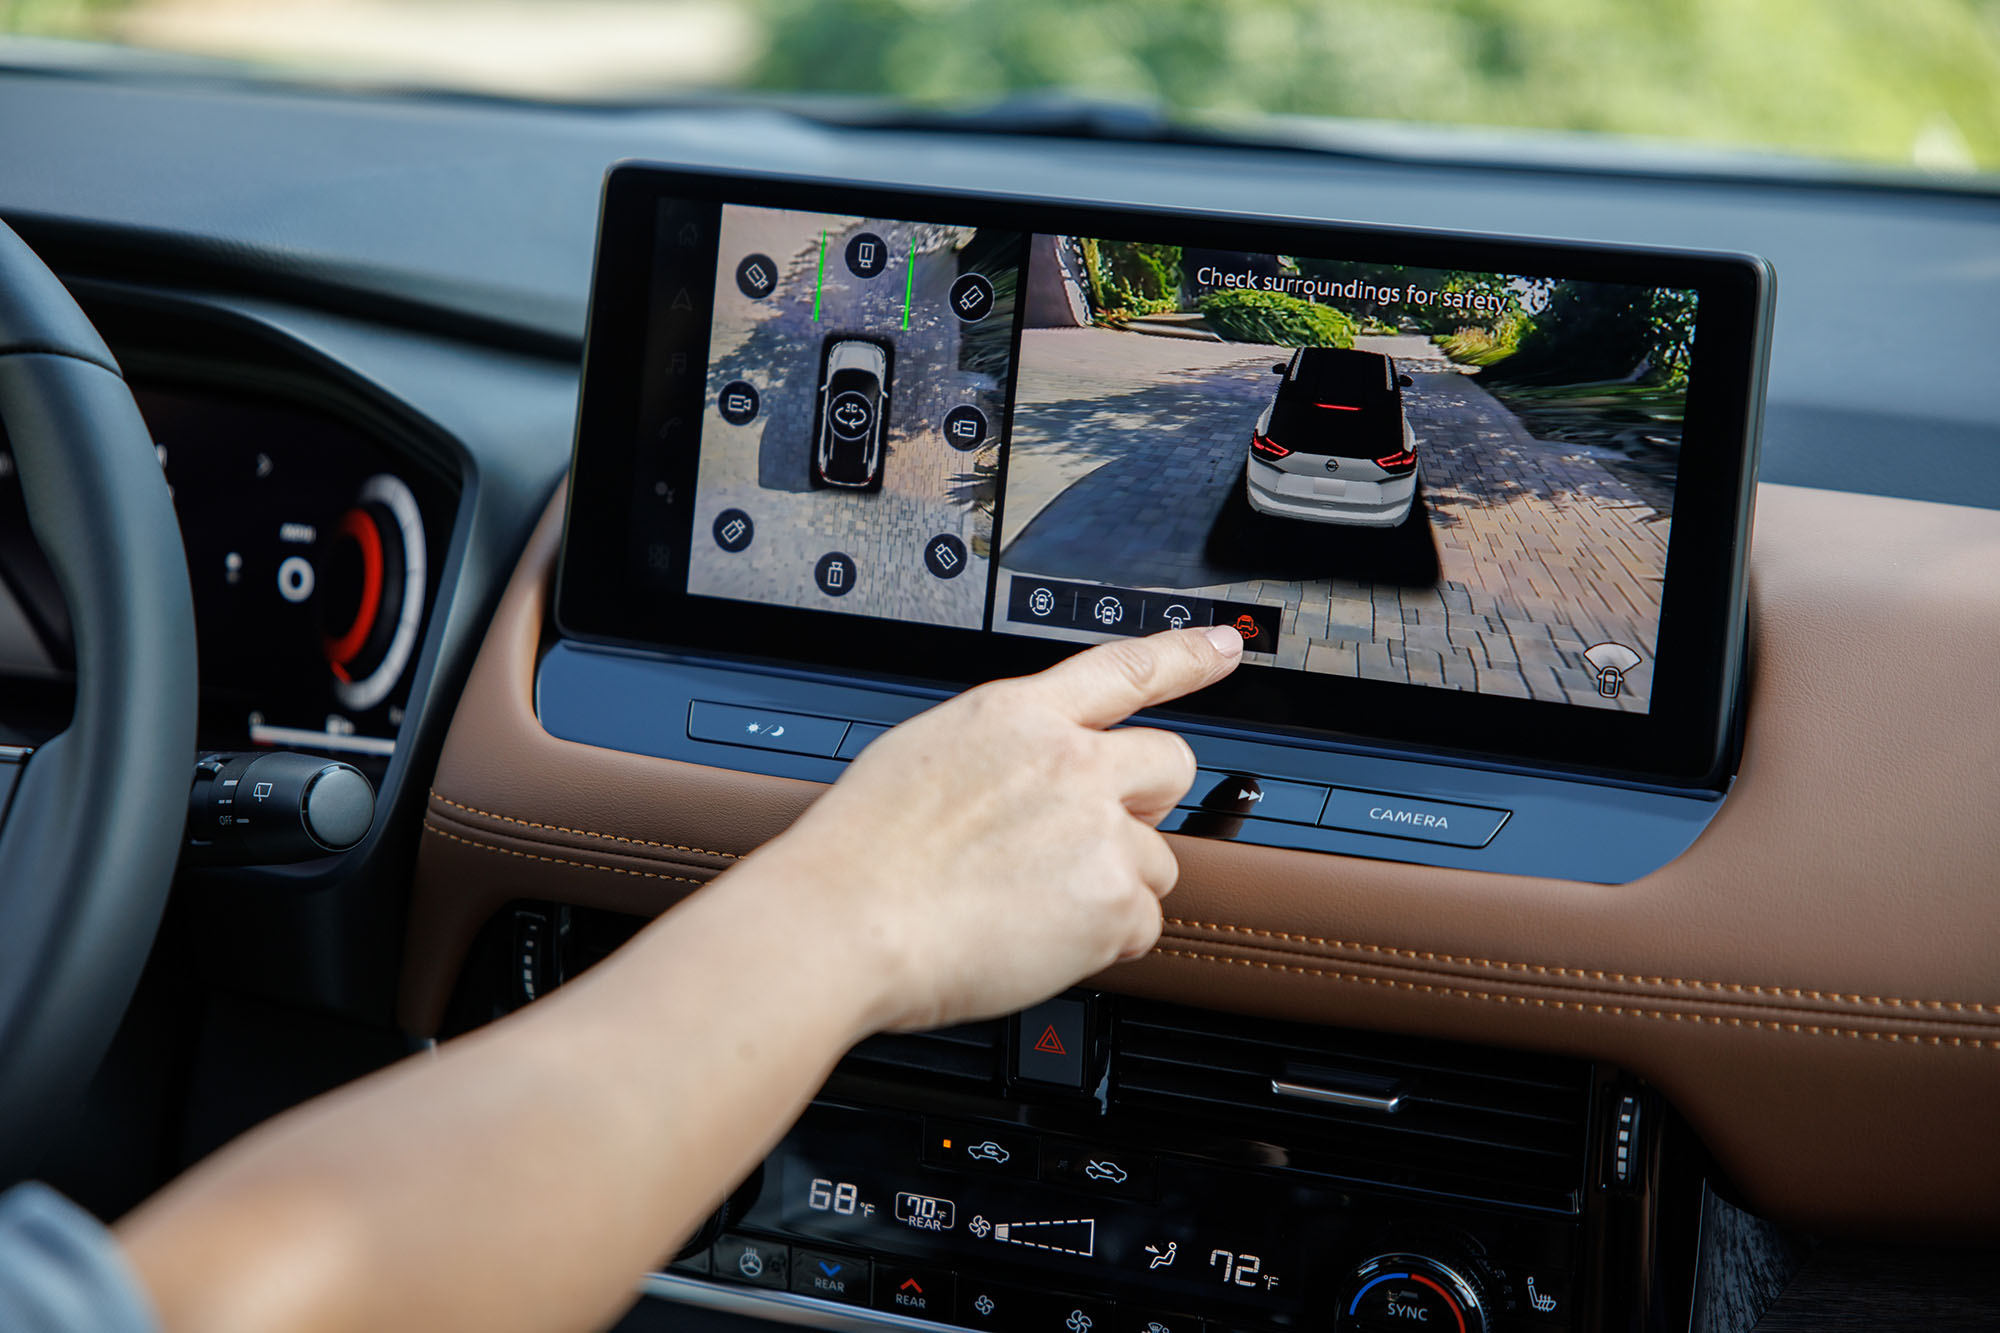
x=313 y=551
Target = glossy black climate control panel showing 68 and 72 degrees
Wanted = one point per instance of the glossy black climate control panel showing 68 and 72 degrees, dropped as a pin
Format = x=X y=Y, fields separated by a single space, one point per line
x=991 y=1224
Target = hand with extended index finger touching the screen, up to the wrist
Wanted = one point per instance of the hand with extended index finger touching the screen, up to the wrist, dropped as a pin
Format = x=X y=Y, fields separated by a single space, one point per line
x=1005 y=846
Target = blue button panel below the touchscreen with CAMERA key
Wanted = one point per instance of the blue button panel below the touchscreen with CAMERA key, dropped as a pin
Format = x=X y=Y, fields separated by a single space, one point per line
x=1255 y=788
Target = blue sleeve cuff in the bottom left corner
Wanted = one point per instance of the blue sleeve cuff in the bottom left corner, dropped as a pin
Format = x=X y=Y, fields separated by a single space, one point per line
x=61 y=1272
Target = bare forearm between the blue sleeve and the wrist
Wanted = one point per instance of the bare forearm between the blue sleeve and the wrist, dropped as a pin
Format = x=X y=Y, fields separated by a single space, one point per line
x=531 y=1172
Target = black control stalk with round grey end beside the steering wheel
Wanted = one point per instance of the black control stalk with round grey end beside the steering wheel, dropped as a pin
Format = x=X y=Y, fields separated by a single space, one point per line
x=275 y=808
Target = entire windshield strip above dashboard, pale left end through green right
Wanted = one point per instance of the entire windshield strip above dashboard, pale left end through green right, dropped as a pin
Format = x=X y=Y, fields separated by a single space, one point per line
x=1859 y=81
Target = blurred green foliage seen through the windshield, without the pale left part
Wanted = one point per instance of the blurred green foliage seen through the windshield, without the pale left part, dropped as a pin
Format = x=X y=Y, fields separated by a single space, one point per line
x=1853 y=79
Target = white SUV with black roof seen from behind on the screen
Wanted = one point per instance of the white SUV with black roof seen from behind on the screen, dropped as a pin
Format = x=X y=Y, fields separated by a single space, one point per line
x=1335 y=443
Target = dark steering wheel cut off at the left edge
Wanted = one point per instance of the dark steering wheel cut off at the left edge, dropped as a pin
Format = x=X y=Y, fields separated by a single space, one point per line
x=93 y=830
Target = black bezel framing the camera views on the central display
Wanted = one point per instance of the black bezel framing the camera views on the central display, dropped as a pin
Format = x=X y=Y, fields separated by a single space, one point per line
x=1687 y=740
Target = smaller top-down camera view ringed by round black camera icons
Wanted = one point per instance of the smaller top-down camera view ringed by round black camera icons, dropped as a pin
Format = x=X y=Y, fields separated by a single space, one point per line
x=857 y=379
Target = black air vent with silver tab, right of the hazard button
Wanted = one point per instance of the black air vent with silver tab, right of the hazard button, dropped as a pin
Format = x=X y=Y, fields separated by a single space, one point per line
x=1365 y=1106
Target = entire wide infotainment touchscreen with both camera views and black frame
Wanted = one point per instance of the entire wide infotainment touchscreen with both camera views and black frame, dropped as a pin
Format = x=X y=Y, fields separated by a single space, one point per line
x=1457 y=493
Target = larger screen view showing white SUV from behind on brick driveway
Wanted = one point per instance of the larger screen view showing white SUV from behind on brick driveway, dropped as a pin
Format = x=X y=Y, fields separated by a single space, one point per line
x=1373 y=471
